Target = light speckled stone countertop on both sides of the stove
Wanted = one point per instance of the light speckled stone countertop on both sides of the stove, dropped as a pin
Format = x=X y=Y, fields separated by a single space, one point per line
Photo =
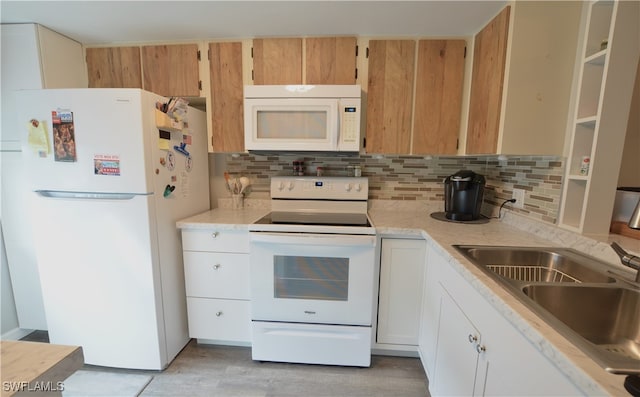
x=513 y=230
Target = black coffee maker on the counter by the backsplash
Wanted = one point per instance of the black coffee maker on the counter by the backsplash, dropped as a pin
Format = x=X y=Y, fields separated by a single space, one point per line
x=463 y=193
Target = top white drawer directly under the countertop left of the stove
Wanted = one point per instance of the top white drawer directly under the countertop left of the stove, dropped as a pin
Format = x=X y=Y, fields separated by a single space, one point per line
x=215 y=240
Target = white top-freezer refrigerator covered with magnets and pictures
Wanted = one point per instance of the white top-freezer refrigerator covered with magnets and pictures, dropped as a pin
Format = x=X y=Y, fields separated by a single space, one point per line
x=108 y=187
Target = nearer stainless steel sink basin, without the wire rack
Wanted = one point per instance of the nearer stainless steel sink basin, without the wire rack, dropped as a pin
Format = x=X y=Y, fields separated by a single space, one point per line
x=607 y=317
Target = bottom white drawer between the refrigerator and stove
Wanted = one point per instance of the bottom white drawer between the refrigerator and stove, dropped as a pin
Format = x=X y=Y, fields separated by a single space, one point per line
x=219 y=319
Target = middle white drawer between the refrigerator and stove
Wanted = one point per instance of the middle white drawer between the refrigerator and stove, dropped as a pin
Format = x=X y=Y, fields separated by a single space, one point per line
x=216 y=275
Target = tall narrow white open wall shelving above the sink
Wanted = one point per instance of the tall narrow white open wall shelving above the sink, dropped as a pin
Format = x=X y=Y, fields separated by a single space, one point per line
x=610 y=44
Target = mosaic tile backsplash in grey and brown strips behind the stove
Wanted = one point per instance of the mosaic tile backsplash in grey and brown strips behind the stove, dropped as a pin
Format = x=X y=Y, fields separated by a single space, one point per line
x=420 y=178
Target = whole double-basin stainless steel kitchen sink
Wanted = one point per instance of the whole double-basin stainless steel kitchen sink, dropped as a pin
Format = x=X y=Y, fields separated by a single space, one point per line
x=580 y=296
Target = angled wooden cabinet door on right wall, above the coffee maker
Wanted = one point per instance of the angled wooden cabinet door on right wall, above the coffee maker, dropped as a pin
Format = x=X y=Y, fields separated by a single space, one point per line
x=489 y=57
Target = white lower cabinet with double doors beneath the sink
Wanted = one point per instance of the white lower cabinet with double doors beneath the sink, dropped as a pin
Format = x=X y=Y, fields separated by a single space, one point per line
x=468 y=348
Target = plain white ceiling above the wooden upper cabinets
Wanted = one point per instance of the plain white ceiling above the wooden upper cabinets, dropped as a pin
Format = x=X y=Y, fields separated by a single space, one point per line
x=110 y=22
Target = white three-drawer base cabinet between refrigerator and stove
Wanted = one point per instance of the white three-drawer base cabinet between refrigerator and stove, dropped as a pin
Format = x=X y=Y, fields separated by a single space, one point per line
x=216 y=267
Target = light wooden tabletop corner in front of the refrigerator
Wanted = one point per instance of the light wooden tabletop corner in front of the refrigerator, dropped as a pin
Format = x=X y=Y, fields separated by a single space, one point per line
x=30 y=365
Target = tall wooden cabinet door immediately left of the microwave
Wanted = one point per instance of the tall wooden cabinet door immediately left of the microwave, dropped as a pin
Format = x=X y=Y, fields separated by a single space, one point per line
x=225 y=69
